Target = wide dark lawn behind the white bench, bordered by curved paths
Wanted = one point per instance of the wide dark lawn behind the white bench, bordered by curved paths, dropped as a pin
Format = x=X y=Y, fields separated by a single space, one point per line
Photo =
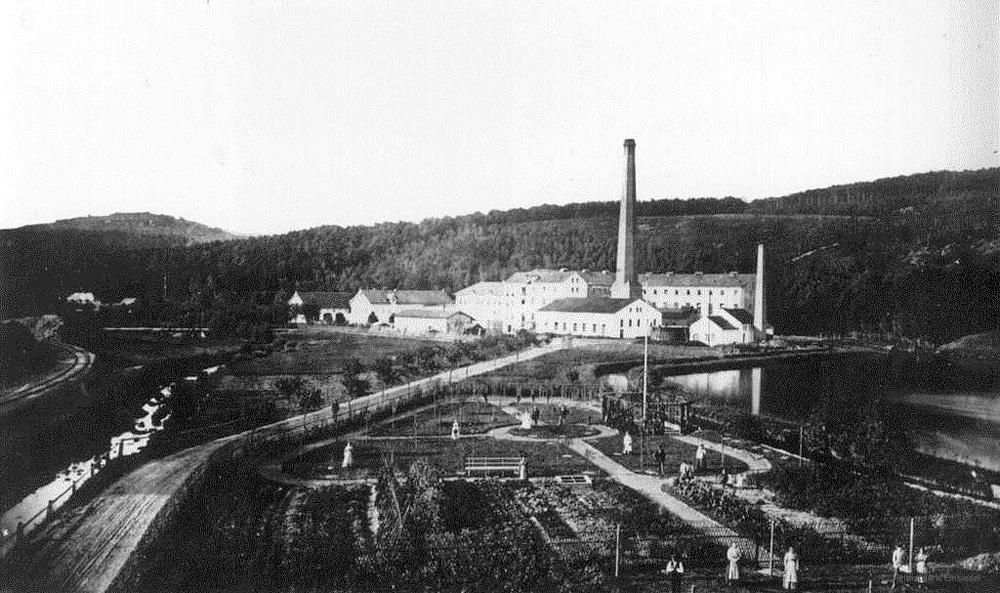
x=444 y=454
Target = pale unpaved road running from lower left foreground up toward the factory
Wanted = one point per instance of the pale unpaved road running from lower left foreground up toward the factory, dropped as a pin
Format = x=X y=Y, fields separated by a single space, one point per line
x=86 y=548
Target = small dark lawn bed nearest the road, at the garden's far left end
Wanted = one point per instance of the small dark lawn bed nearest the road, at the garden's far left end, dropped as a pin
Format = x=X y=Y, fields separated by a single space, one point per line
x=474 y=417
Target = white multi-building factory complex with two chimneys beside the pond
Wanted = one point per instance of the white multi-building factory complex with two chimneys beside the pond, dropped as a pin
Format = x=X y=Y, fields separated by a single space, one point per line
x=622 y=304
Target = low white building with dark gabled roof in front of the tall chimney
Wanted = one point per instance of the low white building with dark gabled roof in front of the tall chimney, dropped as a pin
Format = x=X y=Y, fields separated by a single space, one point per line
x=600 y=317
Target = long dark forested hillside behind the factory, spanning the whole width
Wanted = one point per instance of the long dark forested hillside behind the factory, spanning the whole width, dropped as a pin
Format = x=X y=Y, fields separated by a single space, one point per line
x=929 y=266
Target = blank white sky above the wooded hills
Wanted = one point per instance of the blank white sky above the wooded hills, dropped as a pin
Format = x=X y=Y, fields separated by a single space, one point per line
x=268 y=117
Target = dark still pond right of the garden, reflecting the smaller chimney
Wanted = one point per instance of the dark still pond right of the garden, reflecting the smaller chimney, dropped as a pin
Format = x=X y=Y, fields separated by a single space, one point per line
x=952 y=411
